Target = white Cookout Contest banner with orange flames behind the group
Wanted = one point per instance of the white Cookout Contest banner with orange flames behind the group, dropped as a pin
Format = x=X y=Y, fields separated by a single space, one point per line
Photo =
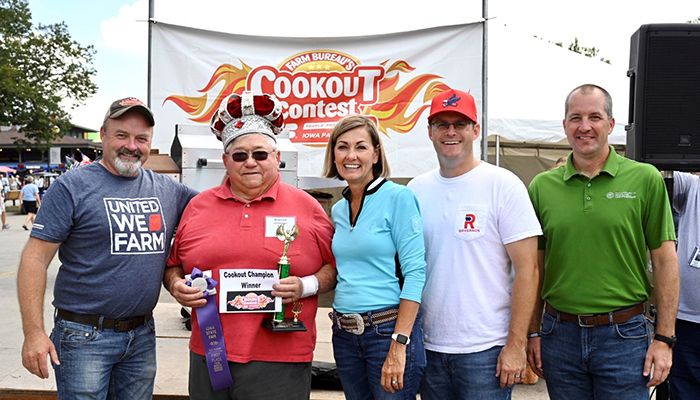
x=319 y=80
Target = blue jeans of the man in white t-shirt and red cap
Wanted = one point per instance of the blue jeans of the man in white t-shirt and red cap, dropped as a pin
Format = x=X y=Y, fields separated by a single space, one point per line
x=463 y=376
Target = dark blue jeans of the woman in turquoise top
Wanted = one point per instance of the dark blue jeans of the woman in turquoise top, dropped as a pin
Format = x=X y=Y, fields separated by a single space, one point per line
x=359 y=360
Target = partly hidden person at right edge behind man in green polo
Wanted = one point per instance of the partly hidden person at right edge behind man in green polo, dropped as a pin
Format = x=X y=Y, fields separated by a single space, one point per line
x=685 y=373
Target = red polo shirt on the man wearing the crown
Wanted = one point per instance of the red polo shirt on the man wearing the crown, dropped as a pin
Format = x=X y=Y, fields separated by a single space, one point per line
x=219 y=230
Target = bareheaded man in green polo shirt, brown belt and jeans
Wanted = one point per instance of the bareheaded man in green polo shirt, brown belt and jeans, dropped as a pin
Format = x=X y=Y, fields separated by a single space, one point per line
x=600 y=214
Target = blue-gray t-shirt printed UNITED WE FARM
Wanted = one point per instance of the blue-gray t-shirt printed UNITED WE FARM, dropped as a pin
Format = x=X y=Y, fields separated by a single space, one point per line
x=115 y=236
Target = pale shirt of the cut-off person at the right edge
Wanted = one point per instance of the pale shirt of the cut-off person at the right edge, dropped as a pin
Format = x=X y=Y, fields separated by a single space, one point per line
x=686 y=201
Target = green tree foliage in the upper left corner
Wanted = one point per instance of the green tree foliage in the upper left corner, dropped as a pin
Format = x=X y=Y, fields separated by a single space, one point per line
x=42 y=70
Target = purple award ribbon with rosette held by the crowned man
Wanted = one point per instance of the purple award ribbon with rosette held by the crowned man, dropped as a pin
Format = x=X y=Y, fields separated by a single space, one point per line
x=212 y=335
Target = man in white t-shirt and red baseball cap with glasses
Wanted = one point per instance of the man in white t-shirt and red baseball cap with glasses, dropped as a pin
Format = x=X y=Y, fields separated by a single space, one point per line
x=481 y=249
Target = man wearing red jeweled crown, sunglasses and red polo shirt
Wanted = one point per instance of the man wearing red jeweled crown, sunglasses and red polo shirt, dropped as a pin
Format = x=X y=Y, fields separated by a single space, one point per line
x=248 y=208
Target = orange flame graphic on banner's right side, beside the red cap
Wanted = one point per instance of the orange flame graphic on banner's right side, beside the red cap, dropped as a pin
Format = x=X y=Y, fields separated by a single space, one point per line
x=393 y=103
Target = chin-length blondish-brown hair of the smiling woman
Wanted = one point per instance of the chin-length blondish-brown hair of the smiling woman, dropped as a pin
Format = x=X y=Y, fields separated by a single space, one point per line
x=380 y=168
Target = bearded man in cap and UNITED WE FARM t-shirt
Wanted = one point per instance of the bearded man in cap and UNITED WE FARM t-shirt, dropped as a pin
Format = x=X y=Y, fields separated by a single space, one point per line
x=111 y=223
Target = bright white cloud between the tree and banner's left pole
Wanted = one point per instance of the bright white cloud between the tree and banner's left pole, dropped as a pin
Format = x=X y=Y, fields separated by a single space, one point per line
x=127 y=32
